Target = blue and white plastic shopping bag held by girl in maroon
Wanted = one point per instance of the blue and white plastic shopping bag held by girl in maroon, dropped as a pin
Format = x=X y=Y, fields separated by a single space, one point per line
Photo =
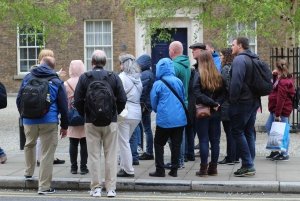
x=278 y=137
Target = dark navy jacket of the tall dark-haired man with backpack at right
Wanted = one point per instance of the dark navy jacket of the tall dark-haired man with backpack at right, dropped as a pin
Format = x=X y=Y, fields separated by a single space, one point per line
x=242 y=73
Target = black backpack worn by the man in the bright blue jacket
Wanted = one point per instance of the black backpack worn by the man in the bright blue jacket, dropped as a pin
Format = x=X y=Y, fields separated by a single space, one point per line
x=35 y=100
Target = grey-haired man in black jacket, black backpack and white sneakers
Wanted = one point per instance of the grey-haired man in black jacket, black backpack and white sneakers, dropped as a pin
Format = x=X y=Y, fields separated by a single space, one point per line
x=100 y=97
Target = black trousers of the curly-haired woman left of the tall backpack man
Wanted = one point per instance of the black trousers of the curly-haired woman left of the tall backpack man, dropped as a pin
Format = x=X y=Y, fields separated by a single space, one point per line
x=231 y=151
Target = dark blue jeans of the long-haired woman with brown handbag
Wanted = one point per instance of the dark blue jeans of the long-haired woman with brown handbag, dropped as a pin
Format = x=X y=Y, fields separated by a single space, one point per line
x=209 y=130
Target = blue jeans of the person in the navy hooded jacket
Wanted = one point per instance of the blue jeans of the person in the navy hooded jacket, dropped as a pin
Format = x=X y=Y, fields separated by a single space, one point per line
x=146 y=121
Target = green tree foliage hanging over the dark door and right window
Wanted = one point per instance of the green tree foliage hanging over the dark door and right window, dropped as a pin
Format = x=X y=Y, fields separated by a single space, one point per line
x=273 y=17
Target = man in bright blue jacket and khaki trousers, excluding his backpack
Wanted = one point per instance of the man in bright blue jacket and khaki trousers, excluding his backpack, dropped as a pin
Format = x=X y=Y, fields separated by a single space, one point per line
x=45 y=127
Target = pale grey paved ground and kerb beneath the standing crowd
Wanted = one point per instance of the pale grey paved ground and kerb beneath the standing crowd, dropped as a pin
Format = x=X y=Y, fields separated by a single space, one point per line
x=270 y=176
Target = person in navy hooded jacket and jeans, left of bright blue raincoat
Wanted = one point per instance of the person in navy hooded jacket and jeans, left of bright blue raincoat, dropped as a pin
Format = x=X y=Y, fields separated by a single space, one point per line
x=147 y=78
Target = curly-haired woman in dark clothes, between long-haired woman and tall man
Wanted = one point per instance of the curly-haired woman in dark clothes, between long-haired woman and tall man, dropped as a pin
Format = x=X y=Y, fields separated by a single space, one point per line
x=231 y=157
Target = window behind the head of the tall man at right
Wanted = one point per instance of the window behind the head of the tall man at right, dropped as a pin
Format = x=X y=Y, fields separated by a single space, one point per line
x=242 y=29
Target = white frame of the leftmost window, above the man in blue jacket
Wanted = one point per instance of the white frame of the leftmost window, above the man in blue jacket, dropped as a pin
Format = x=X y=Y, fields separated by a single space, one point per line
x=37 y=47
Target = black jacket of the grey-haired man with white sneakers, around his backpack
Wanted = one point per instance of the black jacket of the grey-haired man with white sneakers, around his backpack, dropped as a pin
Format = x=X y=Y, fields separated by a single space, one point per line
x=115 y=83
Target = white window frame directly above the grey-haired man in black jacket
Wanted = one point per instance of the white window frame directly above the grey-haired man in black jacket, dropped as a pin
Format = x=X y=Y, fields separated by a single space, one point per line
x=87 y=58
